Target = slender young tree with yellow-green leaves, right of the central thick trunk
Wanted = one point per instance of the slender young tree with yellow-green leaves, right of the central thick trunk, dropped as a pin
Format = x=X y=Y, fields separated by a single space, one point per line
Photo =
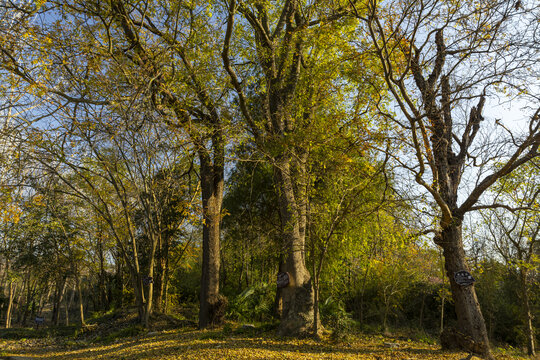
x=347 y=190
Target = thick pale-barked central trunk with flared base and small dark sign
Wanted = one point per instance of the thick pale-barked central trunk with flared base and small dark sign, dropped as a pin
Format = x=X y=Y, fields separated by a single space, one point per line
x=297 y=309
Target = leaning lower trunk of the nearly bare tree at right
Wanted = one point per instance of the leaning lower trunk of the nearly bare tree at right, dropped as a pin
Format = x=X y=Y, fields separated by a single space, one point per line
x=471 y=333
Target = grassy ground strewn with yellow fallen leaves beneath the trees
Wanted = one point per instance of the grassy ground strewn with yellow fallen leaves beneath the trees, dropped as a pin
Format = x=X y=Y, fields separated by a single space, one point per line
x=232 y=342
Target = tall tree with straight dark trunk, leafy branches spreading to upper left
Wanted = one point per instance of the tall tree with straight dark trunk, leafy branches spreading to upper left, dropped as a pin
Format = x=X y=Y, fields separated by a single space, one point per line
x=78 y=54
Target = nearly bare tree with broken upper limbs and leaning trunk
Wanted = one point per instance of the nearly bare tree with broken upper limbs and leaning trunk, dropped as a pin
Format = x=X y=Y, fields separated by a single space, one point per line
x=434 y=58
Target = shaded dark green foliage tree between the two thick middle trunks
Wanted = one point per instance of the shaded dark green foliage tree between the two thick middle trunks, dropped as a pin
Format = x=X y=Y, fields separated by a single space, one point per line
x=250 y=225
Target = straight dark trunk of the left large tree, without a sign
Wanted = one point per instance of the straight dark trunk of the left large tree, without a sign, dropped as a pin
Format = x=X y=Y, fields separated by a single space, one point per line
x=212 y=304
